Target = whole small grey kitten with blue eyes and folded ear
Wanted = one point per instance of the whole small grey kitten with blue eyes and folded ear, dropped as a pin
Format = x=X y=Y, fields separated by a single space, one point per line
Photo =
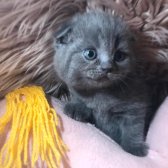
x=95 y=59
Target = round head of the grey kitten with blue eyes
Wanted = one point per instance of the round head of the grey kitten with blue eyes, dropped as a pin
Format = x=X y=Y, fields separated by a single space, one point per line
x=93 y=50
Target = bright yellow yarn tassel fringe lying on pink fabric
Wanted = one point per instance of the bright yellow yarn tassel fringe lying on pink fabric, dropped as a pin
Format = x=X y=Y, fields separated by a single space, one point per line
x=33 y=126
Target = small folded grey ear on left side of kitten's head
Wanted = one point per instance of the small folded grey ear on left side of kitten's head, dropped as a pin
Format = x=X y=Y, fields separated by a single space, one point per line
x=62 y=36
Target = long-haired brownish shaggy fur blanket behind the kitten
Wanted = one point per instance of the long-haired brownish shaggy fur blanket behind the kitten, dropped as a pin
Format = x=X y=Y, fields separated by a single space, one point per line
x=26 y=28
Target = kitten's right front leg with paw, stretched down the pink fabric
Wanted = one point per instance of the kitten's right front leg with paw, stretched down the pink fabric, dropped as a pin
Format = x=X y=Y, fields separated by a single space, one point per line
x=126 y=129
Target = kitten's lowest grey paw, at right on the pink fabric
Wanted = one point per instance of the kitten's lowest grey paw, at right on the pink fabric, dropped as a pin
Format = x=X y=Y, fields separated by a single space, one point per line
x=140 y=149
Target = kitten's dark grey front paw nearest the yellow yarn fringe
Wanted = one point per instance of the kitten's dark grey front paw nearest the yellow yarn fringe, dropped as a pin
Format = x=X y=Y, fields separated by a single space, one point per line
x=79 y=111
